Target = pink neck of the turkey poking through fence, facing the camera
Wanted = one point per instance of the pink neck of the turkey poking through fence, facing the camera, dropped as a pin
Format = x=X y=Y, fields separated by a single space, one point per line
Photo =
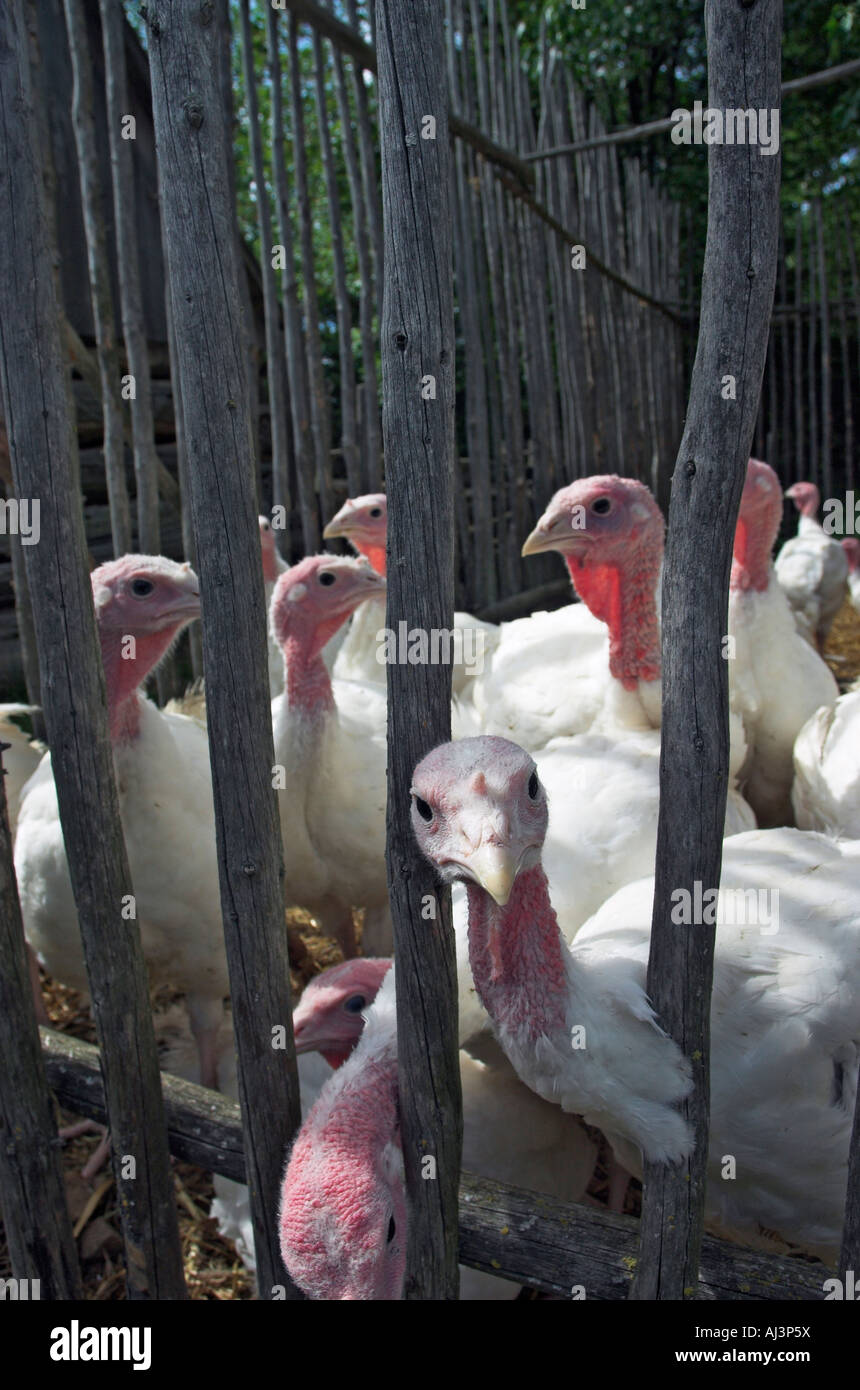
x=518 y=957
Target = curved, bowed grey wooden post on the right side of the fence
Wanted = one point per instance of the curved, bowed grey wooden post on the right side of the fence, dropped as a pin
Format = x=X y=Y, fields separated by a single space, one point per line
x=737 y=298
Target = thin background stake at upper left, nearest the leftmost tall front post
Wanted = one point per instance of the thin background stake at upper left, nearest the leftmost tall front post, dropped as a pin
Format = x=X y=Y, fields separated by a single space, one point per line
x=99 y=276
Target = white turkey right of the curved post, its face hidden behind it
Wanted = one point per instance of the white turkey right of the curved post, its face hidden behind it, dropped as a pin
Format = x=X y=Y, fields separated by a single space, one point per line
x=777 y=680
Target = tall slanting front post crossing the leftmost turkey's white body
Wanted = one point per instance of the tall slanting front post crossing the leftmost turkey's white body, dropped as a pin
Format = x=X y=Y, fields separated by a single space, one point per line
x=45 y=462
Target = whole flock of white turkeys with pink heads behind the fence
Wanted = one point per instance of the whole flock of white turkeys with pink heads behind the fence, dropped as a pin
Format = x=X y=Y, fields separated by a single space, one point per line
x=543 y=815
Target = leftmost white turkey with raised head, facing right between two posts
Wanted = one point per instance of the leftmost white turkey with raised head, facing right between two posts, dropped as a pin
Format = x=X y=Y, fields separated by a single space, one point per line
x=166 y=803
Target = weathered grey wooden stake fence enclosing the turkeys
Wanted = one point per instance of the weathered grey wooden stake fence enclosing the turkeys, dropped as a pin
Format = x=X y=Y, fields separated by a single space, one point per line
x=570 y=340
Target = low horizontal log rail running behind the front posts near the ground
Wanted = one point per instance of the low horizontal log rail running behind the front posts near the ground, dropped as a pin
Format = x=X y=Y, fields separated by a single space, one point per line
x=527 y=1238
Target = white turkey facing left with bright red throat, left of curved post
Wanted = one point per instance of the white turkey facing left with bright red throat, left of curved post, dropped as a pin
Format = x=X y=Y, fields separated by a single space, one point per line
x=561 y=673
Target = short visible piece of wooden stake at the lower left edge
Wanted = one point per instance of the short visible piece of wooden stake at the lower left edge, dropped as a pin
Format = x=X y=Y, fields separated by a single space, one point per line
x=33 y=1193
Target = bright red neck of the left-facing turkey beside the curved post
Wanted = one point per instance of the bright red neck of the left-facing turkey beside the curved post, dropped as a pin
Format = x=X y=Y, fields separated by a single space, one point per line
x=625 y=597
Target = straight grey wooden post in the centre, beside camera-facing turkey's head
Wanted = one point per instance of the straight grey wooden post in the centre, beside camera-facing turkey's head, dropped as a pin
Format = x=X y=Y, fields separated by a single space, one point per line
x=419 y=439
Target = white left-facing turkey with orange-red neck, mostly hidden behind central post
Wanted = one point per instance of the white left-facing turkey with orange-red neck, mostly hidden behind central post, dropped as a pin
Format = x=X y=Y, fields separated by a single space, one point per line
x=363 y=522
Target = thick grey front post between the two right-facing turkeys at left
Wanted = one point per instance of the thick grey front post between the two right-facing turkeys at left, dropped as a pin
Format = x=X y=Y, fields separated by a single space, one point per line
x=191 y=140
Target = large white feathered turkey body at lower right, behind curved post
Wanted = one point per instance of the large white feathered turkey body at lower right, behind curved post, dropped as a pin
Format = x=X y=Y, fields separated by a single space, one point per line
x=784 y=1033
